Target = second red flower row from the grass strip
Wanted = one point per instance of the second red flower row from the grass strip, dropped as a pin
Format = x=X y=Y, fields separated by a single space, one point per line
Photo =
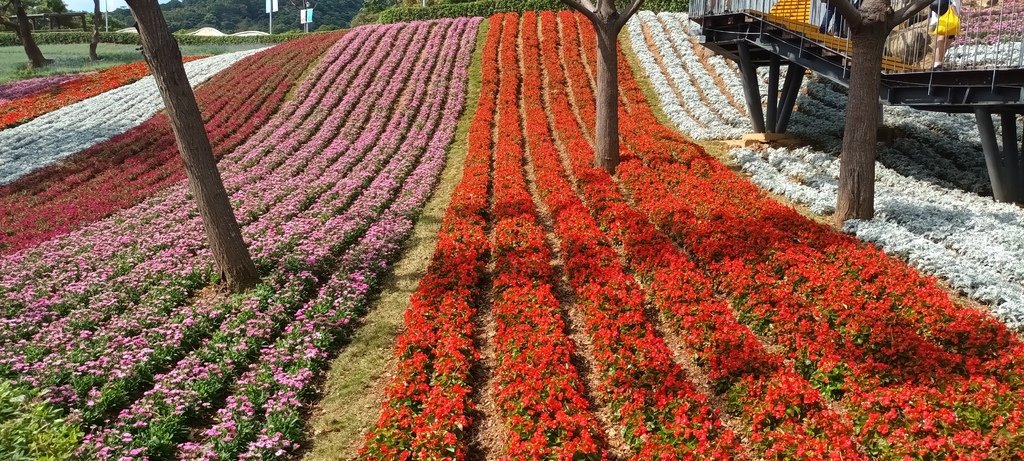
x=538 y=390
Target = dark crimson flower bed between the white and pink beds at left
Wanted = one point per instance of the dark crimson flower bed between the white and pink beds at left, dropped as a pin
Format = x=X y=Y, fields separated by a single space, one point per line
x=126 y=170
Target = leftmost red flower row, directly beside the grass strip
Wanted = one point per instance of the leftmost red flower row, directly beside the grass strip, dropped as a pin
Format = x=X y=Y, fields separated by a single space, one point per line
x=428 y=406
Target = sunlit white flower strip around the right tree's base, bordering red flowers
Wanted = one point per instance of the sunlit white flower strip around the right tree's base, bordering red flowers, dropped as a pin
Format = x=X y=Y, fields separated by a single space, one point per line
x=973 y=242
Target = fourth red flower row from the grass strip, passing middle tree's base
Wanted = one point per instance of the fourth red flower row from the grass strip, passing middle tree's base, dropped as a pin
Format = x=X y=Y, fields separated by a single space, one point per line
x=787 y=417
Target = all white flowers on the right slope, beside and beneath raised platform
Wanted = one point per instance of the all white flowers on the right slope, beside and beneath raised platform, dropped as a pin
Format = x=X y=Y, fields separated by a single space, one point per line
x=923 y=213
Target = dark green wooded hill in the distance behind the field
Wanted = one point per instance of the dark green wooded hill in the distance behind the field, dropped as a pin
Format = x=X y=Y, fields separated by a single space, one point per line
x=238 y=16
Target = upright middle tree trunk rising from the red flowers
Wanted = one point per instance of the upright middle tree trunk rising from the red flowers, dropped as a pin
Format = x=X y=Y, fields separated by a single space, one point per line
x=607 y=133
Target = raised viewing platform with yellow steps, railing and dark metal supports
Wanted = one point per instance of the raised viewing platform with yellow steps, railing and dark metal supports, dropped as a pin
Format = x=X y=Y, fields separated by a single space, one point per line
x=767 y=33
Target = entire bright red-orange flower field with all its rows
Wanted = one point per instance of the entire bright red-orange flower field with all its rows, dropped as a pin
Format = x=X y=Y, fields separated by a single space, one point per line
x=729 y=328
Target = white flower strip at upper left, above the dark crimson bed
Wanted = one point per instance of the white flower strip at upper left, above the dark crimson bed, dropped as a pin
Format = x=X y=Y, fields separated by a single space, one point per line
x=73 y=129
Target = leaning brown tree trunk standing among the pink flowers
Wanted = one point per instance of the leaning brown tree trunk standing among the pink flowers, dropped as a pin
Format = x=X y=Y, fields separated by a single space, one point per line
x=164 y=58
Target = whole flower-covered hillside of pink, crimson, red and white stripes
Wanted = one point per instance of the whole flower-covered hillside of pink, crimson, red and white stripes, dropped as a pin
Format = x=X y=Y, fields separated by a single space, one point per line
x=672 y=311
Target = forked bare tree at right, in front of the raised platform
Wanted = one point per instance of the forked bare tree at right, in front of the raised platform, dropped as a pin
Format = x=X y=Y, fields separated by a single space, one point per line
x=870 y=27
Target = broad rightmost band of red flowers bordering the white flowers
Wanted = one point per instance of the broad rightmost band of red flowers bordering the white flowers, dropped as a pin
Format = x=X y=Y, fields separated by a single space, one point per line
x=919 y=374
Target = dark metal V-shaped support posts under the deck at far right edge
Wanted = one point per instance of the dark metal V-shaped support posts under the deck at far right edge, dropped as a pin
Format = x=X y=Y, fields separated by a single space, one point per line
x=1005 y=169
